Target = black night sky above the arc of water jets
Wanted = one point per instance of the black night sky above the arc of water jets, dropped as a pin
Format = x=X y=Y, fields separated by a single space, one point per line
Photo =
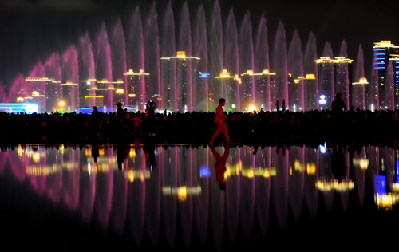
x=31 y=29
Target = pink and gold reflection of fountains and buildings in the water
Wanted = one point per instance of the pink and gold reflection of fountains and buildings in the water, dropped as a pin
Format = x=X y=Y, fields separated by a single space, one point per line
x=182 y=174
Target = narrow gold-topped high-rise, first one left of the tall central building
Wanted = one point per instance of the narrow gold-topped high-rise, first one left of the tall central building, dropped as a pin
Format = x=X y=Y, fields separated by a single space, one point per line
x=136 y=89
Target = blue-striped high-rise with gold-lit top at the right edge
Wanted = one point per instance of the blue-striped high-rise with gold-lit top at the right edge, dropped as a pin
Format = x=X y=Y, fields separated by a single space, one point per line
x=383 y=53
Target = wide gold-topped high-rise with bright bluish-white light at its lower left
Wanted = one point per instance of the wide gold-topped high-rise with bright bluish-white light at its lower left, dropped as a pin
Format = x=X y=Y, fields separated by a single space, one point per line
x=333 y=78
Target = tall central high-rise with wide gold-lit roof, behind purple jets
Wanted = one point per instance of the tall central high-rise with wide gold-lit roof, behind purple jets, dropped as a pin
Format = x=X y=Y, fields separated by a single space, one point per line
x=180 y=77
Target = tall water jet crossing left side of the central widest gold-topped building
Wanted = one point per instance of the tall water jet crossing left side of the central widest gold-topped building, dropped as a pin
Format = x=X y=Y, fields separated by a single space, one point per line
x=168 y=48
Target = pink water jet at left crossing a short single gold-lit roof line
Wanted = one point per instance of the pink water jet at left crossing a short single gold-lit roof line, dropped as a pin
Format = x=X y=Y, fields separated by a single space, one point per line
x=70 y=78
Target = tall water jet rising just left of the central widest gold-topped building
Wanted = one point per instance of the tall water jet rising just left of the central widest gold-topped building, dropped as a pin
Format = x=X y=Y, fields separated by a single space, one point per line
x=151 y=52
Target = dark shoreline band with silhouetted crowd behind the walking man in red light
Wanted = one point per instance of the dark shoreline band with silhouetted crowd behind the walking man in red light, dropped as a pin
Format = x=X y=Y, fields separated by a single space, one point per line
x=268 y=128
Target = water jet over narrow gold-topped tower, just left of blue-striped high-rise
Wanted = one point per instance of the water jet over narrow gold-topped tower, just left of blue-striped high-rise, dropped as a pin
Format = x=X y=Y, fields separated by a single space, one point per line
x=359 y=88
